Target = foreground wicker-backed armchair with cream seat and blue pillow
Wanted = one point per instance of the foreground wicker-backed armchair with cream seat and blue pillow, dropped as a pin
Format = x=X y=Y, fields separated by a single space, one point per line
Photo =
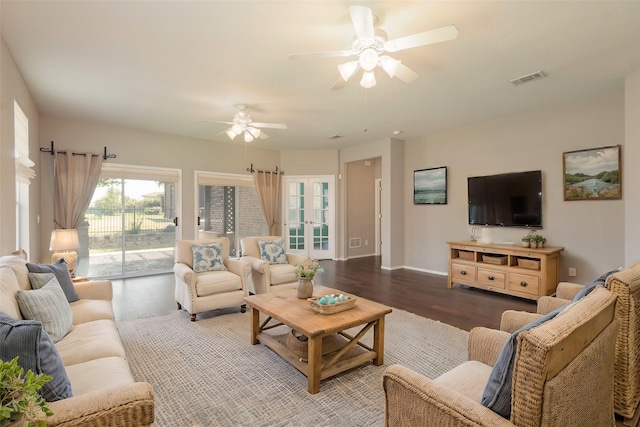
x=562 y=375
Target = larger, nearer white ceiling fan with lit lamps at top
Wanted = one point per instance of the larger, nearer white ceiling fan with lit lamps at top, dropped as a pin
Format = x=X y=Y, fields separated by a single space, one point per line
x=369 y=45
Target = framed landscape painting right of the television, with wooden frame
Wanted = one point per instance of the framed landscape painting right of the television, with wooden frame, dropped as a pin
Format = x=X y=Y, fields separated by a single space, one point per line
x=592 y=174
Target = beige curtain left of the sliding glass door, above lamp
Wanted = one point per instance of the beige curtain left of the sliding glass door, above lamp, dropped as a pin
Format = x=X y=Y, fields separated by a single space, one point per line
x=76 y=179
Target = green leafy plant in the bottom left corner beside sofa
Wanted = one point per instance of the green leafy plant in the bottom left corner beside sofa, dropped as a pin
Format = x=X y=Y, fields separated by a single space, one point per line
x=19 y=398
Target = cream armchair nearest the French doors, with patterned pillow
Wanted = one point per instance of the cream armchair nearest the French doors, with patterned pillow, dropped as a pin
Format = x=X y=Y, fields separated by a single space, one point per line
x=271 y=271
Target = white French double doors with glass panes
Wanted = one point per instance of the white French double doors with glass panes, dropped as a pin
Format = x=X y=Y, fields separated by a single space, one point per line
x=309 y=216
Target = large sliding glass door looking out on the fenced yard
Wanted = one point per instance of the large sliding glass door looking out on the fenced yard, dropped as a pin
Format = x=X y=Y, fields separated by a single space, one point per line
x=129 y=228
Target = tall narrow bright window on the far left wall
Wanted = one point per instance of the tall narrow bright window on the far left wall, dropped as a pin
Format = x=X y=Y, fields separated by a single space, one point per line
x=24 y=174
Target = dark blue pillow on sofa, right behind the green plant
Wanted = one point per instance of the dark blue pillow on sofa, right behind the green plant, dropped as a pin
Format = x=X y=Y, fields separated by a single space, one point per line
x=36 y=352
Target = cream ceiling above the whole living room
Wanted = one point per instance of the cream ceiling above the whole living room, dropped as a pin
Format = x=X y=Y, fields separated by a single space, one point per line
x=162 y=65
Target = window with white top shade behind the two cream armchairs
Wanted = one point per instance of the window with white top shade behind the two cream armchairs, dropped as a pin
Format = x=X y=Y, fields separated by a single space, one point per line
x=228 y=206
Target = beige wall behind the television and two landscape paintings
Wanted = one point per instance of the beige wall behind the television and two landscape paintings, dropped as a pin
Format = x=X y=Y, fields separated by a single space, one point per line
x=592 y=232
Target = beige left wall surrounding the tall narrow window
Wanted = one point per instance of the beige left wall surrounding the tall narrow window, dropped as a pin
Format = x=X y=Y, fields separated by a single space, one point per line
x=13 y=87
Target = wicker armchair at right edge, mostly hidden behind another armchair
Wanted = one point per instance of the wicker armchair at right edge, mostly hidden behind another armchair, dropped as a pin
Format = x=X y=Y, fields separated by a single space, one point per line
x=626 y=285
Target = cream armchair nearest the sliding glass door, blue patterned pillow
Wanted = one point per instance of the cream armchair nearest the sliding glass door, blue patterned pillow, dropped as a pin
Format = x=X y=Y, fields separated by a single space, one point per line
x=206 y=279
